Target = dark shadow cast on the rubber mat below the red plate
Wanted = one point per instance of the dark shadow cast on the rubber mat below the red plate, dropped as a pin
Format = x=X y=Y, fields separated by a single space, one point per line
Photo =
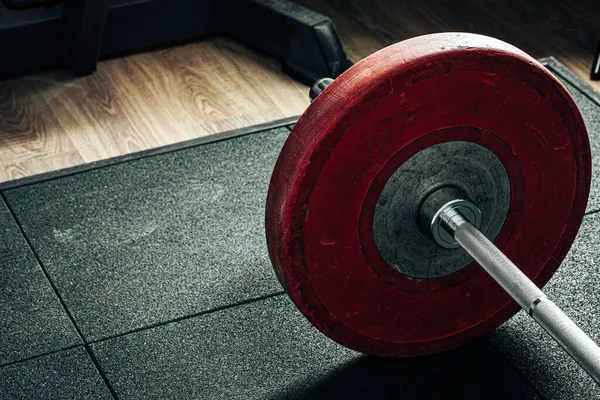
x=476 y=371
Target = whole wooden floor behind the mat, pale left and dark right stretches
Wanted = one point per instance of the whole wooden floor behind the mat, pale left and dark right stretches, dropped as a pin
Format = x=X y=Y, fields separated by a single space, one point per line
x=52 y=121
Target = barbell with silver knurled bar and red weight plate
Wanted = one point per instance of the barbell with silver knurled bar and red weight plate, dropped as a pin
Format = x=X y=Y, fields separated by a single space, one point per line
x=415 y=183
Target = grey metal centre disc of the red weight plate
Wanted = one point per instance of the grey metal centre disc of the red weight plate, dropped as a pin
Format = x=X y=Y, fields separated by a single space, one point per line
x=465 y=165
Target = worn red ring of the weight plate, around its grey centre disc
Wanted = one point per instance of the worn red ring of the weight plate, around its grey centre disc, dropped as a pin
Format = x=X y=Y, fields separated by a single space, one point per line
x=360 y=129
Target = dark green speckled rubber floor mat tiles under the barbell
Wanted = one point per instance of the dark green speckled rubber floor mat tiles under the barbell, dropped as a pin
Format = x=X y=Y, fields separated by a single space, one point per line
x=148 y=277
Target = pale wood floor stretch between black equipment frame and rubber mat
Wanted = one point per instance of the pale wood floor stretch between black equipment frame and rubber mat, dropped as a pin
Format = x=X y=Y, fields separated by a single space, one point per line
x=139 y=102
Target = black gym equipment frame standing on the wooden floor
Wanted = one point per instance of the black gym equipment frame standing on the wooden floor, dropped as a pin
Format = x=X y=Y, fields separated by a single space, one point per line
x=37 y=35
